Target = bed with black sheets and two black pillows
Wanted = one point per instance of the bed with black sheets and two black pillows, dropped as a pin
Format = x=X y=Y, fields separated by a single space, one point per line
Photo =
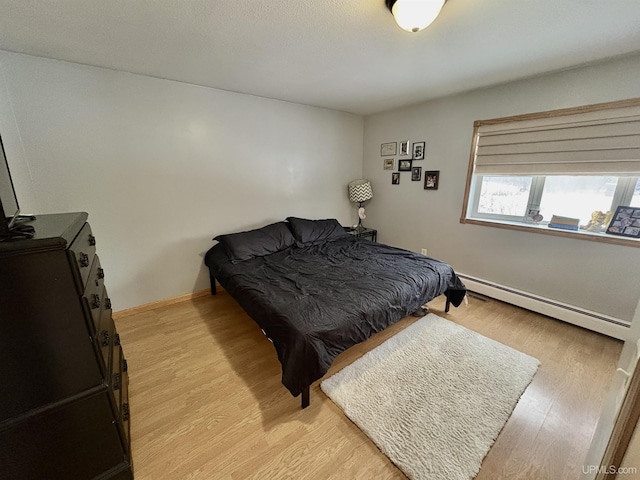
x=315 y=290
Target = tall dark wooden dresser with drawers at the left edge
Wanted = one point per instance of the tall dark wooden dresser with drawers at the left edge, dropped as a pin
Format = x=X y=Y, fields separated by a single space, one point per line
x=64 y=408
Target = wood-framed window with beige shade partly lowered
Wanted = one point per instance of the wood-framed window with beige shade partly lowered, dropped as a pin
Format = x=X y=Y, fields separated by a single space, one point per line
x=569 y=163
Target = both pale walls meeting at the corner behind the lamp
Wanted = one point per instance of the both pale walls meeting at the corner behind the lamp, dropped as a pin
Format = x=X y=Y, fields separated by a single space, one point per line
x=162 y=167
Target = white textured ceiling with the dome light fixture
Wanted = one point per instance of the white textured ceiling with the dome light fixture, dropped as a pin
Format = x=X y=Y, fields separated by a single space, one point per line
x=342 y=54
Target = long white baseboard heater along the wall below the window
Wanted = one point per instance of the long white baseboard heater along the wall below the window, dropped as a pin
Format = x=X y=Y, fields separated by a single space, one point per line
x=594 y=321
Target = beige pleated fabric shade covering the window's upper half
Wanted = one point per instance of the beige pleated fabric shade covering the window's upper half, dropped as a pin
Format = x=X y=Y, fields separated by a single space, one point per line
x=566 y=142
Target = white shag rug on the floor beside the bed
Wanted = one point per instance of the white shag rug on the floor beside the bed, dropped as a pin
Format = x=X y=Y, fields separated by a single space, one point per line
x=434 y=397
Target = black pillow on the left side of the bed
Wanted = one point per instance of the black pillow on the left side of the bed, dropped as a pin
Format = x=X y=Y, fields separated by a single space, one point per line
x=256 y=243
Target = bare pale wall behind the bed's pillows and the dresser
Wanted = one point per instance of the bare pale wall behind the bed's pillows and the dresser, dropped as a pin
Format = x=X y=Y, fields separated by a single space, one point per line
x=162 y=166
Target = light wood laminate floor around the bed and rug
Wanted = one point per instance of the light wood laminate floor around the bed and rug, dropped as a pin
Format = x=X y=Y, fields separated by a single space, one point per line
x=207 y=402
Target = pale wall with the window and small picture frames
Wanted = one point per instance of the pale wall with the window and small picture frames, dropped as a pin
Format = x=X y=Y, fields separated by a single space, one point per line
x=599 y=277
